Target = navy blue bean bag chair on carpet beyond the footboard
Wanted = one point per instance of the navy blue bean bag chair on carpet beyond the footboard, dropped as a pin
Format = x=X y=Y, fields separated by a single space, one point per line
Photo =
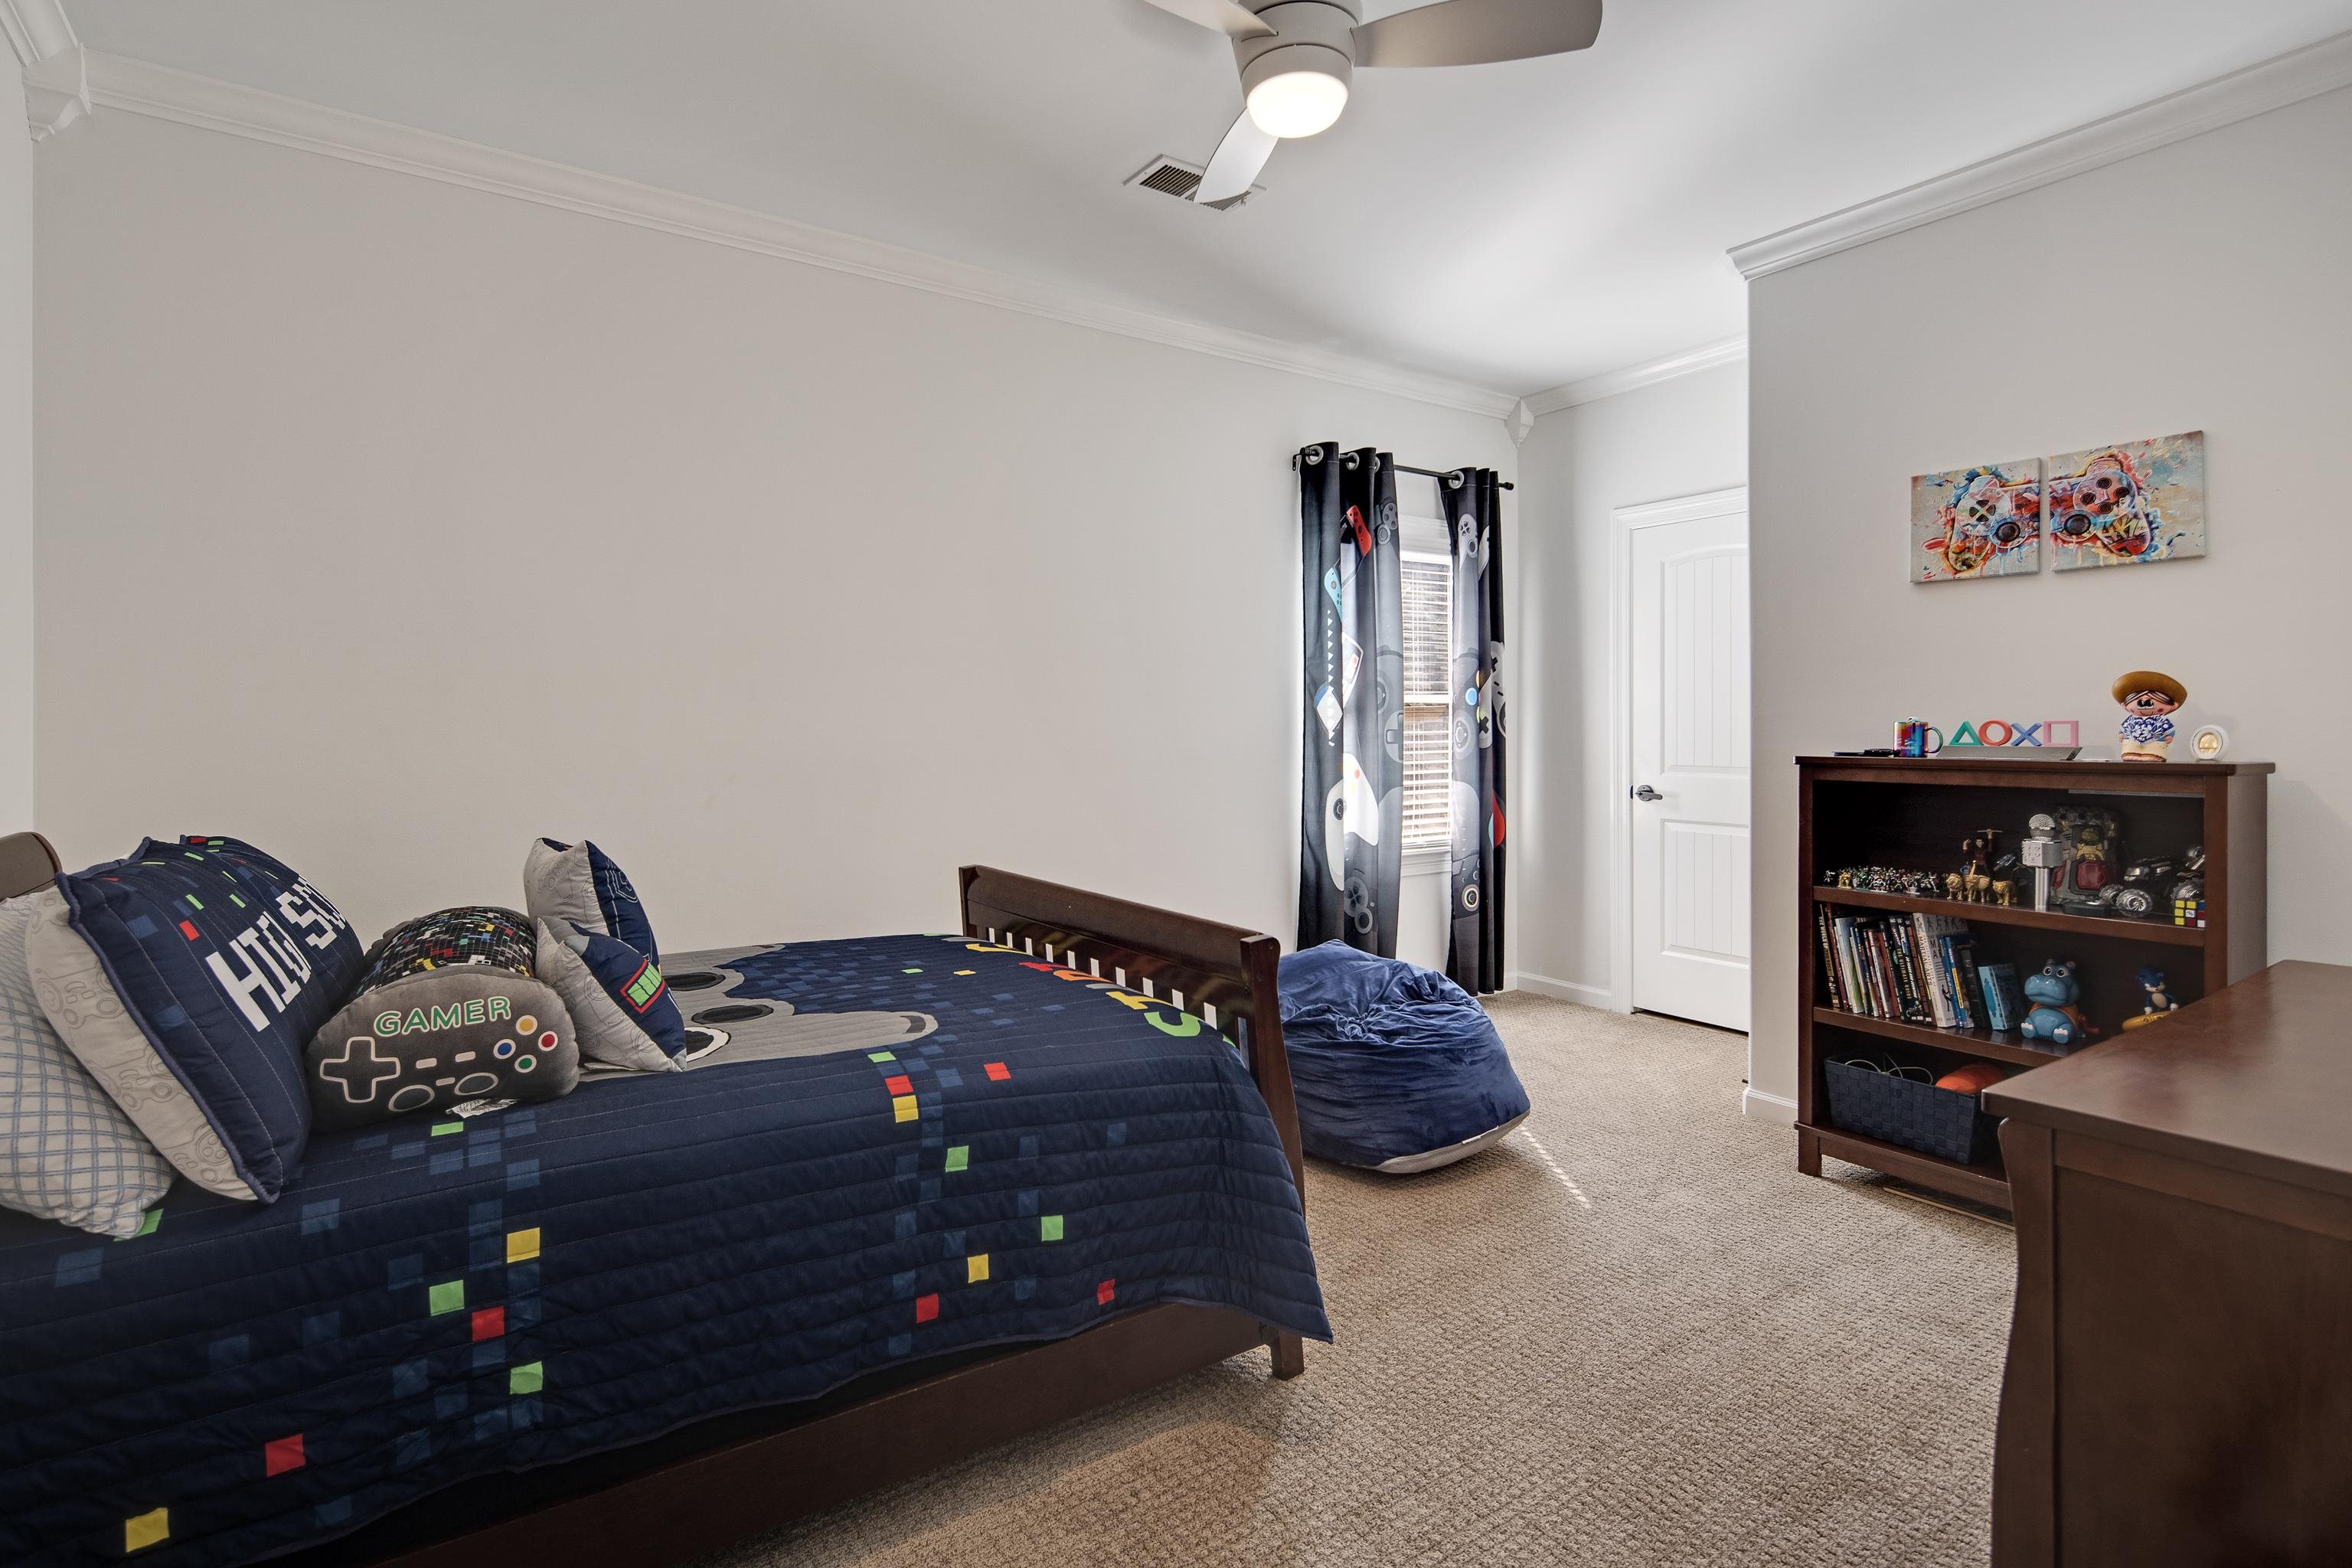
x=1396 y=1066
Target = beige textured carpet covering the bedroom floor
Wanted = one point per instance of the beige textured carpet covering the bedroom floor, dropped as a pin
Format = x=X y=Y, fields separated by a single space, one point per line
x=1633 y=1334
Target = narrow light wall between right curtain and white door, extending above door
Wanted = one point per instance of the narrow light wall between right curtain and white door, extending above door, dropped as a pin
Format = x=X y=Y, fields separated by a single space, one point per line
x=1681 y=438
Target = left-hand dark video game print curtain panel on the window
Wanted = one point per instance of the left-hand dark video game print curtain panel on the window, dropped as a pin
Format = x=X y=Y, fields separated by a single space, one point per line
x=1354 y=619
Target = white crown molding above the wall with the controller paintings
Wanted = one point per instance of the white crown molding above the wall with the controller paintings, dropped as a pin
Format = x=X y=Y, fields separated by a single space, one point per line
x=2226 y=100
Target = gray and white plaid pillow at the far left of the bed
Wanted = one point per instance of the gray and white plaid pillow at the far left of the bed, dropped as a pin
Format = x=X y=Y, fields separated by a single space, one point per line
x=67 y=1151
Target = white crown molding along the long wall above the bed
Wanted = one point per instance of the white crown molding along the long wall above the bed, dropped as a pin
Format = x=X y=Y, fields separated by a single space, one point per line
x=211 y=105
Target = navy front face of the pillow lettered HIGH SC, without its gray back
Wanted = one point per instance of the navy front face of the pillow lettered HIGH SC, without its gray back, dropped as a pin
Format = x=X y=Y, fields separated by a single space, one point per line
x=227 y=963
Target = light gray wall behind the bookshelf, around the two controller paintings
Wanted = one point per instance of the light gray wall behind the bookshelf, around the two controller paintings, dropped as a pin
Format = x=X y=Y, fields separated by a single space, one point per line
x=2207 y=295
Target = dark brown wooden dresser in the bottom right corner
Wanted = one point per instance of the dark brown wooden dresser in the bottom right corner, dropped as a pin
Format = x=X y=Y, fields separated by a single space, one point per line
x=2181 y=1355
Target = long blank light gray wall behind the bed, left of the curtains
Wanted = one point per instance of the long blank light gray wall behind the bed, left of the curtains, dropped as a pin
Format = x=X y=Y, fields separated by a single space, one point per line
x=392 y=523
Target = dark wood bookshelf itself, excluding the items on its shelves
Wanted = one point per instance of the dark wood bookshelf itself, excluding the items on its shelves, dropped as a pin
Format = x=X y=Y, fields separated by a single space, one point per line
x=1913 y=815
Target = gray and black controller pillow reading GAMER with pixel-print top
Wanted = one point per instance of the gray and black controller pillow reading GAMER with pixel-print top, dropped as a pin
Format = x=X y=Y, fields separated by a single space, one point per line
x=450 y=1010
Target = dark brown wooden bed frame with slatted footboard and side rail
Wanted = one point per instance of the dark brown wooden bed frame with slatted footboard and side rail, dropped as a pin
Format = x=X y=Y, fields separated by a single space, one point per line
x=719 y=1482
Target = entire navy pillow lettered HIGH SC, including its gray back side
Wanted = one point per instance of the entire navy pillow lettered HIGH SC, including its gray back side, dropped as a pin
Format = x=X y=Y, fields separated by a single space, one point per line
x=187 y=981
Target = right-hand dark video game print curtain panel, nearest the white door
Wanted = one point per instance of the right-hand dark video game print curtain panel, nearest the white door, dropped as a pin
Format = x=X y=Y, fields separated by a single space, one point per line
x=1476 y=532
